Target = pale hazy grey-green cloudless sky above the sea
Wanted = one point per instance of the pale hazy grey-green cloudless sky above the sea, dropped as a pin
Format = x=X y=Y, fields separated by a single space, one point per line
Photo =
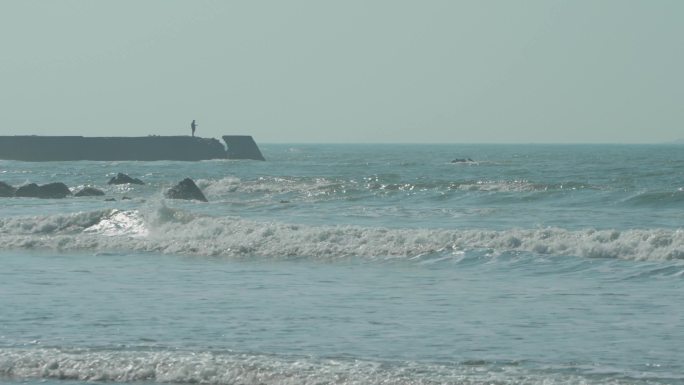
x=352 y=71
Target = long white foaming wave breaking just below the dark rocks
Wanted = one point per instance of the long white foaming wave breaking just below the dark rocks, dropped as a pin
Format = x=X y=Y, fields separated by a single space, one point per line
x=176 y=231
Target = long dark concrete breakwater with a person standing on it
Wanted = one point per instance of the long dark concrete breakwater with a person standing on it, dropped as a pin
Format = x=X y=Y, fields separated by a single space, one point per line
x=145 y=148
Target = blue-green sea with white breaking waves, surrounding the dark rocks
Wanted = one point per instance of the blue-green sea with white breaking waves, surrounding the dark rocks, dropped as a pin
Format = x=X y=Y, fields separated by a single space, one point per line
x=351 y=264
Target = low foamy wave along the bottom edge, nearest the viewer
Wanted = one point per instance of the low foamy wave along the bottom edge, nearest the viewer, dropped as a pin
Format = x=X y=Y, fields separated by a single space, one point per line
x=218 y=368
